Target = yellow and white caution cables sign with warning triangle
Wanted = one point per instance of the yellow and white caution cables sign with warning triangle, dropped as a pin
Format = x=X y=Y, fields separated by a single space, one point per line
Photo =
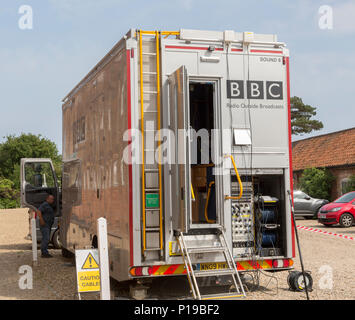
x=88 y=270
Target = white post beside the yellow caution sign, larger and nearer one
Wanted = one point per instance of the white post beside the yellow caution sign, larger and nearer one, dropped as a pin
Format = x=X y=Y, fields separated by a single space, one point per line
x=104 y=262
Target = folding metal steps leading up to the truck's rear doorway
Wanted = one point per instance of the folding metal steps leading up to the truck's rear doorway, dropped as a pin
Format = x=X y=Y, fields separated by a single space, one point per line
x=220 y=247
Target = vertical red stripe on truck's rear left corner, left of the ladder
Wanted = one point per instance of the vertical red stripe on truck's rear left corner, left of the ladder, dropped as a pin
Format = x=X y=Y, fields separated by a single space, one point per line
x=129 y=105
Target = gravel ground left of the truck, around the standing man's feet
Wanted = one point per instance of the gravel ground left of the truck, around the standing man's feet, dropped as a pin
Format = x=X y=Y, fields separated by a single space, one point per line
x=53 y=279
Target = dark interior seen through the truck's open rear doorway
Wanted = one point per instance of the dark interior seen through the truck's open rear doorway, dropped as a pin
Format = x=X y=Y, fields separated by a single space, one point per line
x=203 y=180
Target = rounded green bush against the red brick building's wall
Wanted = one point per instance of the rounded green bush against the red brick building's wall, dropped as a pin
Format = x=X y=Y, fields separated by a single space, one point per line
x=317 y=182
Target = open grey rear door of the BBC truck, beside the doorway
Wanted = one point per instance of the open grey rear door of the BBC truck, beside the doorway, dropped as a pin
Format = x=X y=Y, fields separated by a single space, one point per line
x=180 y=166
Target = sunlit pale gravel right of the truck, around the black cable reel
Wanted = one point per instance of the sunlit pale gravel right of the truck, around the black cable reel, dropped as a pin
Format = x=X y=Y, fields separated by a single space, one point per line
x=318 y=250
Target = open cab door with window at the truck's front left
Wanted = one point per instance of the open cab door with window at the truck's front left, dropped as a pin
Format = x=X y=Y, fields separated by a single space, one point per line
x=38 y=179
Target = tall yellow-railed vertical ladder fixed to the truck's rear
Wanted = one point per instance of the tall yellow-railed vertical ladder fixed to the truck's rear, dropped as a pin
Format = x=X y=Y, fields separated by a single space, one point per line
x=150 y=100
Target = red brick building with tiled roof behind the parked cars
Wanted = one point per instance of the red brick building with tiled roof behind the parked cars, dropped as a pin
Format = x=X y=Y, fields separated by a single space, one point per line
x=334 y=151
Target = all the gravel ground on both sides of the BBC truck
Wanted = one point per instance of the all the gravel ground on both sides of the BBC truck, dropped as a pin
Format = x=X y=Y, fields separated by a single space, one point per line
x=54 y=279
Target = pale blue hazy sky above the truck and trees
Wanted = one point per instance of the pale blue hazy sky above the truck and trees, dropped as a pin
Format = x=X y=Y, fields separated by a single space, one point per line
x=39 y=66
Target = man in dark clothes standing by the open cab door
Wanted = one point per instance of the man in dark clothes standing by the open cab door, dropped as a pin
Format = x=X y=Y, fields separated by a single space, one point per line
x=46 y=219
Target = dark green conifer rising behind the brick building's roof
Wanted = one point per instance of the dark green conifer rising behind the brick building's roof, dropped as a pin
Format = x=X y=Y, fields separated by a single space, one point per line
x=301 y=117
